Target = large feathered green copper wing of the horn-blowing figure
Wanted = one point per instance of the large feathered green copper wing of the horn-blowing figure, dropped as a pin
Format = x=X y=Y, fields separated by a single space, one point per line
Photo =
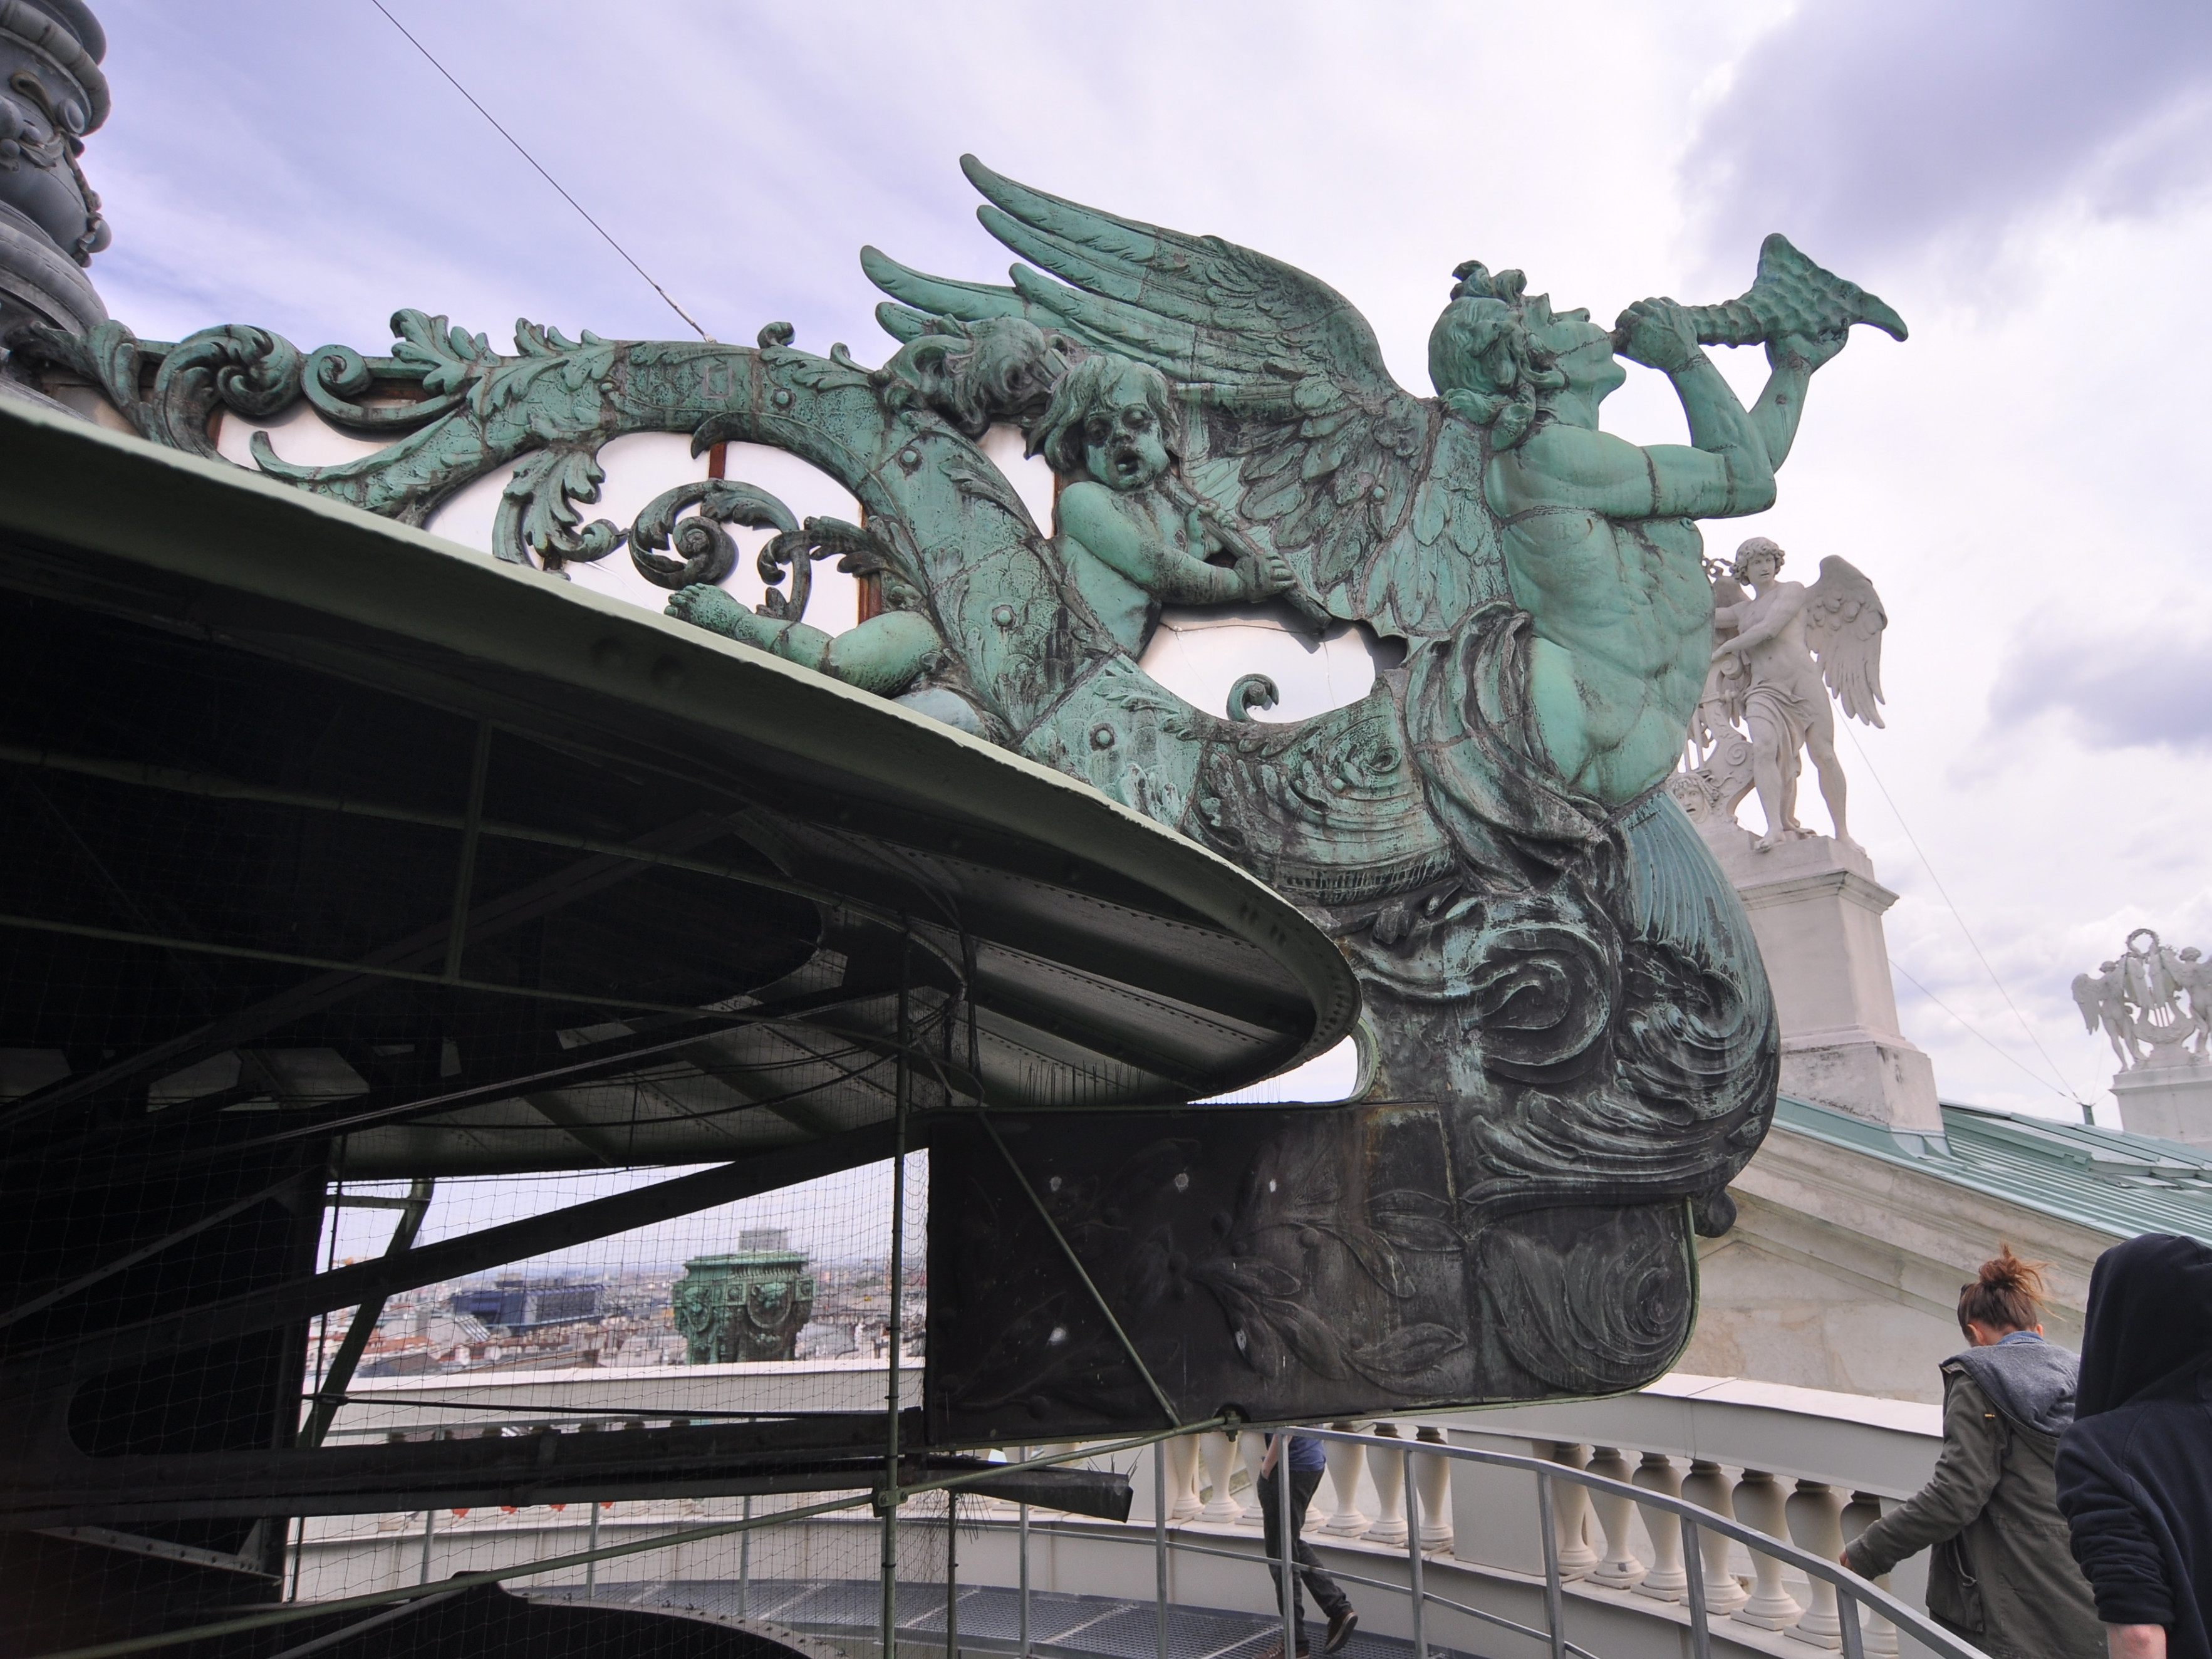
x=1306 y=437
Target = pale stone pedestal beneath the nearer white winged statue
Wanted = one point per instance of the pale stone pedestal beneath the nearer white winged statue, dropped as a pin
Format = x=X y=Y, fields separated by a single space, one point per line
x=1817 y=915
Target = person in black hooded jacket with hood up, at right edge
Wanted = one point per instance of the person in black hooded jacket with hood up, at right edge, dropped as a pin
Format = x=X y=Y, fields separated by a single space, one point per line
x=2136 y=1472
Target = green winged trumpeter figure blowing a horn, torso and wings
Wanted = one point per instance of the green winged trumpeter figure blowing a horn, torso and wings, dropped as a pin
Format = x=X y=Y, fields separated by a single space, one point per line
x=1415 y=514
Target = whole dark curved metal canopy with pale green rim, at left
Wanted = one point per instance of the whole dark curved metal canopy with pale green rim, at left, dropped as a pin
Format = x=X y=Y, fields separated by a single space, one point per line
x=326 y=828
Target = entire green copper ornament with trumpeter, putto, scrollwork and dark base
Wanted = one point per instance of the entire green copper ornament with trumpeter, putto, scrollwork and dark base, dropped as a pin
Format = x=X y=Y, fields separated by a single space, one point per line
x=1569 y=1043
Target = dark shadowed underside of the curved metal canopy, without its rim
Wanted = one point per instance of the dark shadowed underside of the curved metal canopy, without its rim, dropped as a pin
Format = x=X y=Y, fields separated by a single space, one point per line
x=251 y=897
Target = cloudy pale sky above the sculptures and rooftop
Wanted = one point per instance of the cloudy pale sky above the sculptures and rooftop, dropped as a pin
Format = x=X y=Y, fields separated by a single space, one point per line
x=2030 y=182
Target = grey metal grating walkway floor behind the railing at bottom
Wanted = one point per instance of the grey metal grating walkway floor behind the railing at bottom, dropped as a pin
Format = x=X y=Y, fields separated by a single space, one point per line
x=1061 y=1627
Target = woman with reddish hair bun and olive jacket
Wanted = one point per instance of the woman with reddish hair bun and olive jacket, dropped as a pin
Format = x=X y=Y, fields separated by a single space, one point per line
x=2003 y=1572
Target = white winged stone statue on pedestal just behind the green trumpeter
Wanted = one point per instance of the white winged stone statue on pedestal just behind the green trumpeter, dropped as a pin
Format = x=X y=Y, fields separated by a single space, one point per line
x=1780 y=651
